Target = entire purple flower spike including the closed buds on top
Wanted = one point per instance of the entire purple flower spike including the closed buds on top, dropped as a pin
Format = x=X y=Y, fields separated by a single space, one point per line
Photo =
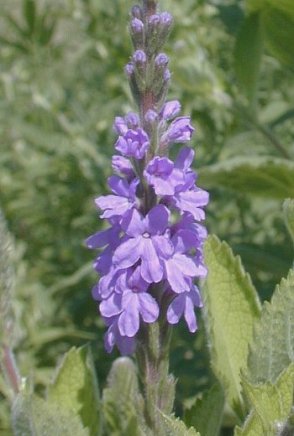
x=151 y=251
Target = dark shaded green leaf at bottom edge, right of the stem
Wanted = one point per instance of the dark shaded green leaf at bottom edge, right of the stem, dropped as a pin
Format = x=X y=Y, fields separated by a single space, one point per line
x=206 y=413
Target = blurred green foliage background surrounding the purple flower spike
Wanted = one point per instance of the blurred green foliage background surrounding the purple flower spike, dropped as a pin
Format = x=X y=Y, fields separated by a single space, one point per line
x=61 y=85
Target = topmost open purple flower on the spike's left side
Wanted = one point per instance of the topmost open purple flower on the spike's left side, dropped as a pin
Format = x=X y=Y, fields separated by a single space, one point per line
x=134 y=143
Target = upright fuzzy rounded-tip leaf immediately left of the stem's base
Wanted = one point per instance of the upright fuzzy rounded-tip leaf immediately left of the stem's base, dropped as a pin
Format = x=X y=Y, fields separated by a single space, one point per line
x=122 y=402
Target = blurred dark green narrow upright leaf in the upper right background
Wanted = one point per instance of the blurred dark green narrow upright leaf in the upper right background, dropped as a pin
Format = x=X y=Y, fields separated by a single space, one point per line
x=248 y=54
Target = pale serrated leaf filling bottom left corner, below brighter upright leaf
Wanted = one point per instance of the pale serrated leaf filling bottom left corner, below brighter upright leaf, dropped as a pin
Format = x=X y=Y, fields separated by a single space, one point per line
x=33 y=416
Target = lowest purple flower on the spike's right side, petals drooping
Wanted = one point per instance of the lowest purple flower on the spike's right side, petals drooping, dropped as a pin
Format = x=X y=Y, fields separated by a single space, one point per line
x=183 y=305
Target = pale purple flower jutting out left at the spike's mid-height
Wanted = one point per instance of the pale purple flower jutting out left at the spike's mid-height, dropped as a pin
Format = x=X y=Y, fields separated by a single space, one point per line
x=124 y=200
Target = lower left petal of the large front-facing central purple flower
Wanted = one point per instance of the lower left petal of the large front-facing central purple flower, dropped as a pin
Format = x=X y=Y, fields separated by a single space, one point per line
x=128 y=253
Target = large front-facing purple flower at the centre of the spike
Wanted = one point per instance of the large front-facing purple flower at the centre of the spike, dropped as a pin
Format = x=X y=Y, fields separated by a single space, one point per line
x=147 y=242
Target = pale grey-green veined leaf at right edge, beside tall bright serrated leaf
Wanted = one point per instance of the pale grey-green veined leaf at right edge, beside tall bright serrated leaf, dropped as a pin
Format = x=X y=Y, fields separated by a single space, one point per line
x=273 y=347
